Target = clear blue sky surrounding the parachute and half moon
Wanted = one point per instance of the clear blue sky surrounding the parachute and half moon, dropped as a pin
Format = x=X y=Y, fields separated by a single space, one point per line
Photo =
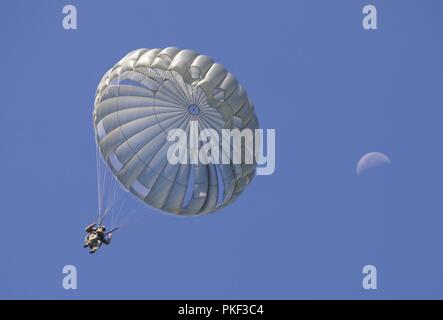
x=332 y=91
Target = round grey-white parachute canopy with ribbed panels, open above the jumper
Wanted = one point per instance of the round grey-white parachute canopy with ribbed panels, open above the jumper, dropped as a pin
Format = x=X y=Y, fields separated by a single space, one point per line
x=140 y=100
